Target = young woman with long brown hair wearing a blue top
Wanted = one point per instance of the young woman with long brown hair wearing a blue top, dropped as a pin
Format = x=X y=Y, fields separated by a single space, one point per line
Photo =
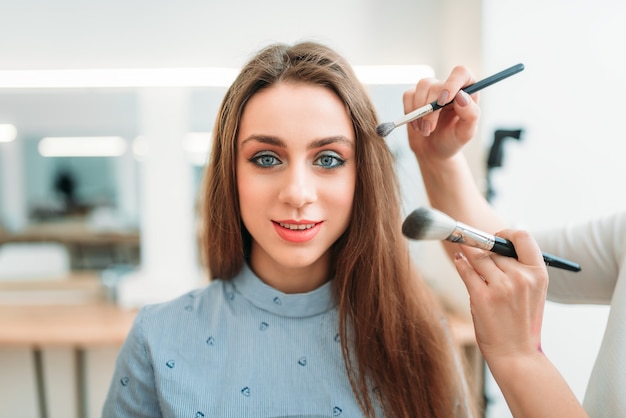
x=315 y=308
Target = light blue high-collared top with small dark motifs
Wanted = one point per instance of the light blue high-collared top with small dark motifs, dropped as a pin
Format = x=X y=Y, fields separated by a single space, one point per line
x=235 y=348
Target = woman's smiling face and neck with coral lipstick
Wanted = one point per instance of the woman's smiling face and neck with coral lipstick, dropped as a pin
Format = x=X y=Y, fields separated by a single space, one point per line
x=296 y=177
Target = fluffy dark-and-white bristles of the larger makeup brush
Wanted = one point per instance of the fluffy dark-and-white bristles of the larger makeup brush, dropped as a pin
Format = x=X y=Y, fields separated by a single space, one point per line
x=428 y=224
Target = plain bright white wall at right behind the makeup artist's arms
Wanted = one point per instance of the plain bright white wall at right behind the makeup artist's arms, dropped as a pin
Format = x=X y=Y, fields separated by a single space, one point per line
x=569 y=165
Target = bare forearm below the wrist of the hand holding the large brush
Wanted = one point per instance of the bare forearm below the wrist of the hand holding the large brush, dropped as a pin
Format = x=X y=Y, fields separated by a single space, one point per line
x=533 y=387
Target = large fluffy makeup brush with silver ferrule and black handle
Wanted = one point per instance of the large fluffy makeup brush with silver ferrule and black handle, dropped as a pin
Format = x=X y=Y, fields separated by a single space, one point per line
x=430 y=224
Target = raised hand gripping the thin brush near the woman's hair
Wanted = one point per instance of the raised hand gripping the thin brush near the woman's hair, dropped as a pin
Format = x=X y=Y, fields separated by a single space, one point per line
x=441 y=134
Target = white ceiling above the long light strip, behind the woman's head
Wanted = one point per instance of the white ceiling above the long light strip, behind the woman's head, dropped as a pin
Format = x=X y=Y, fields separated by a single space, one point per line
x=201 y=33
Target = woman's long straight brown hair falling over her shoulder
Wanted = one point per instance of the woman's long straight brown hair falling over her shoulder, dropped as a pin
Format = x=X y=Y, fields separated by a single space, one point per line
x=396 y=346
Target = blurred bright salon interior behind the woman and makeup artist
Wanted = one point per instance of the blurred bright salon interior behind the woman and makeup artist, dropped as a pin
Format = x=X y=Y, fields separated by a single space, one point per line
x=106 y=110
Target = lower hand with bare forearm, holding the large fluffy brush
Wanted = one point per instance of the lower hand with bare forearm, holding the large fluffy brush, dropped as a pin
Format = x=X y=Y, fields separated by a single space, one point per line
x=507 y=297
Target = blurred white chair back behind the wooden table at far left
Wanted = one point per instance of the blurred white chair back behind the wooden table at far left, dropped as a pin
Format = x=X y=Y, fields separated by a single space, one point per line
x=34 y=260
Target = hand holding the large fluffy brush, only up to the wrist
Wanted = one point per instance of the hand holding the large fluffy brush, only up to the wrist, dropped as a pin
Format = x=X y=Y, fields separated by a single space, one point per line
x=507 y=298
